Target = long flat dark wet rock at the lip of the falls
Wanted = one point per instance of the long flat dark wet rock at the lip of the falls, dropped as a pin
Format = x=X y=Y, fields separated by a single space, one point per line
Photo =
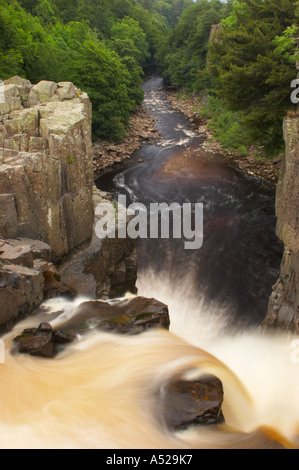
x=129 y=316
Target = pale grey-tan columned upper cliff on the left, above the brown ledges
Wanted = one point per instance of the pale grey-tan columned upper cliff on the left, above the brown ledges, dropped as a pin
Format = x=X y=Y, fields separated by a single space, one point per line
x=46 y=170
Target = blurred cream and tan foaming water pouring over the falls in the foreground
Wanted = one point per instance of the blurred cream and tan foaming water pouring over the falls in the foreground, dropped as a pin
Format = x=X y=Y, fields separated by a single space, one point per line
x=101 y=392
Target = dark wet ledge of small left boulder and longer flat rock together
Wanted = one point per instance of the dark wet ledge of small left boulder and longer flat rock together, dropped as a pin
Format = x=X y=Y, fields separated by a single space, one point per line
x=130 y=316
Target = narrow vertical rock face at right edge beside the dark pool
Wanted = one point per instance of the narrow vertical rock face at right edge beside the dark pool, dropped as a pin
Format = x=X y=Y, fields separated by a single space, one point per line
x=283 y=311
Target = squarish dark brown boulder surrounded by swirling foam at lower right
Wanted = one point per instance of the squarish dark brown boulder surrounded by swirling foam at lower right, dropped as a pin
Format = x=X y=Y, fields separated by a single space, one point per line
x=196 y=402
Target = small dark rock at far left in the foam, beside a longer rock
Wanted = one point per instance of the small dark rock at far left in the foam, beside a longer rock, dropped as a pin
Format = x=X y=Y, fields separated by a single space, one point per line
x=42 y=341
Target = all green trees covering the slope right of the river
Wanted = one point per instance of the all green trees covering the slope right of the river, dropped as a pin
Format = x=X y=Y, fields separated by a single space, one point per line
x=241 y=56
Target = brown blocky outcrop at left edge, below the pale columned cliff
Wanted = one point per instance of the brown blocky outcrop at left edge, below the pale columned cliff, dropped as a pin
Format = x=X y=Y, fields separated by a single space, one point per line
x=27 y=278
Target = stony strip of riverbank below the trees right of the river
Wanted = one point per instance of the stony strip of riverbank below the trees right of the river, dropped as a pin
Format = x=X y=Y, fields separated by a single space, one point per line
x=252 y=163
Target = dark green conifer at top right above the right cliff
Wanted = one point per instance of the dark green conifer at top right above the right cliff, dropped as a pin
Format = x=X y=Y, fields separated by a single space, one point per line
x=252 y=66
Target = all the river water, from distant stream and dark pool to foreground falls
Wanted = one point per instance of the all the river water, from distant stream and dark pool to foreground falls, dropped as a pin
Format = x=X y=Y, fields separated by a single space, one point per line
x=102 y=391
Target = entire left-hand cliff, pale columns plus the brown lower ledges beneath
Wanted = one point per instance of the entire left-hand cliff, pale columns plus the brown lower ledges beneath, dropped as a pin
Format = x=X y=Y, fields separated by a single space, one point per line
x=47 y=202
